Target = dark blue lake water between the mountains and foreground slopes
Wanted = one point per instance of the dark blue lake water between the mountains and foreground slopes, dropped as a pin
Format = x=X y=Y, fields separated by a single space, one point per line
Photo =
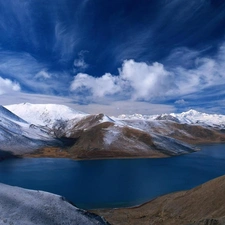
x=114 y=183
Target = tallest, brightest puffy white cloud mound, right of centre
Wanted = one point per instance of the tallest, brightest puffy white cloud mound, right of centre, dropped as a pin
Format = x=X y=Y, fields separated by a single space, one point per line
x=146 y=81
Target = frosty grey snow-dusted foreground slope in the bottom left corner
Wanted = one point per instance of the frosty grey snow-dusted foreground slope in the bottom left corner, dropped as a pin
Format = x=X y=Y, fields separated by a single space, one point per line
x=21 y=206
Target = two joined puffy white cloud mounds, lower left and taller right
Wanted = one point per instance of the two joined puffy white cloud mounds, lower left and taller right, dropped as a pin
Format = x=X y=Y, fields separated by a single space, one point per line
x=137 y=81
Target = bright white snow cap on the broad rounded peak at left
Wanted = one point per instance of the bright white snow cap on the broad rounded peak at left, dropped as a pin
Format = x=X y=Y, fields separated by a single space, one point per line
x=44 y=114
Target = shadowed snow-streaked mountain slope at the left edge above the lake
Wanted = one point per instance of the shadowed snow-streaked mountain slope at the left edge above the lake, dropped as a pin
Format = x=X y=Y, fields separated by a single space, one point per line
x=18 y=136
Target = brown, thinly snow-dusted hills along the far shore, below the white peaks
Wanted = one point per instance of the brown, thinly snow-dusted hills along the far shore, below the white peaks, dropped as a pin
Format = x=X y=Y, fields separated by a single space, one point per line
x=98 y=136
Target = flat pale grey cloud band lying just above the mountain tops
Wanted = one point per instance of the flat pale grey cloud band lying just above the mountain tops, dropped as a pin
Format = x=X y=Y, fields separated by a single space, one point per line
x=110 y=108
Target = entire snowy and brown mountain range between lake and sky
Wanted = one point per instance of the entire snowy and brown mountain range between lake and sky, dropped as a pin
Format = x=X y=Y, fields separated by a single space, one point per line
x=51 y=130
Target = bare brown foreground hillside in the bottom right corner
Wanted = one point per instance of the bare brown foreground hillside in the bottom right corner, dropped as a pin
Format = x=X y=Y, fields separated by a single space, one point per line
x=203 y=205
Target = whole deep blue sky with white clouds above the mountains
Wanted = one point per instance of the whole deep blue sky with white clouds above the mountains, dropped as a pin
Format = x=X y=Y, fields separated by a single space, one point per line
x=115 y=57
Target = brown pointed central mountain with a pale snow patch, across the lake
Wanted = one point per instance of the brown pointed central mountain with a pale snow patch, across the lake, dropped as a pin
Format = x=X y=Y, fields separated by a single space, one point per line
x=99 y=136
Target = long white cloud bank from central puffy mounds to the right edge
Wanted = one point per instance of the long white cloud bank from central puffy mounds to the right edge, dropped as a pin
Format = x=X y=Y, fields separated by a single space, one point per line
x=155 y=82
